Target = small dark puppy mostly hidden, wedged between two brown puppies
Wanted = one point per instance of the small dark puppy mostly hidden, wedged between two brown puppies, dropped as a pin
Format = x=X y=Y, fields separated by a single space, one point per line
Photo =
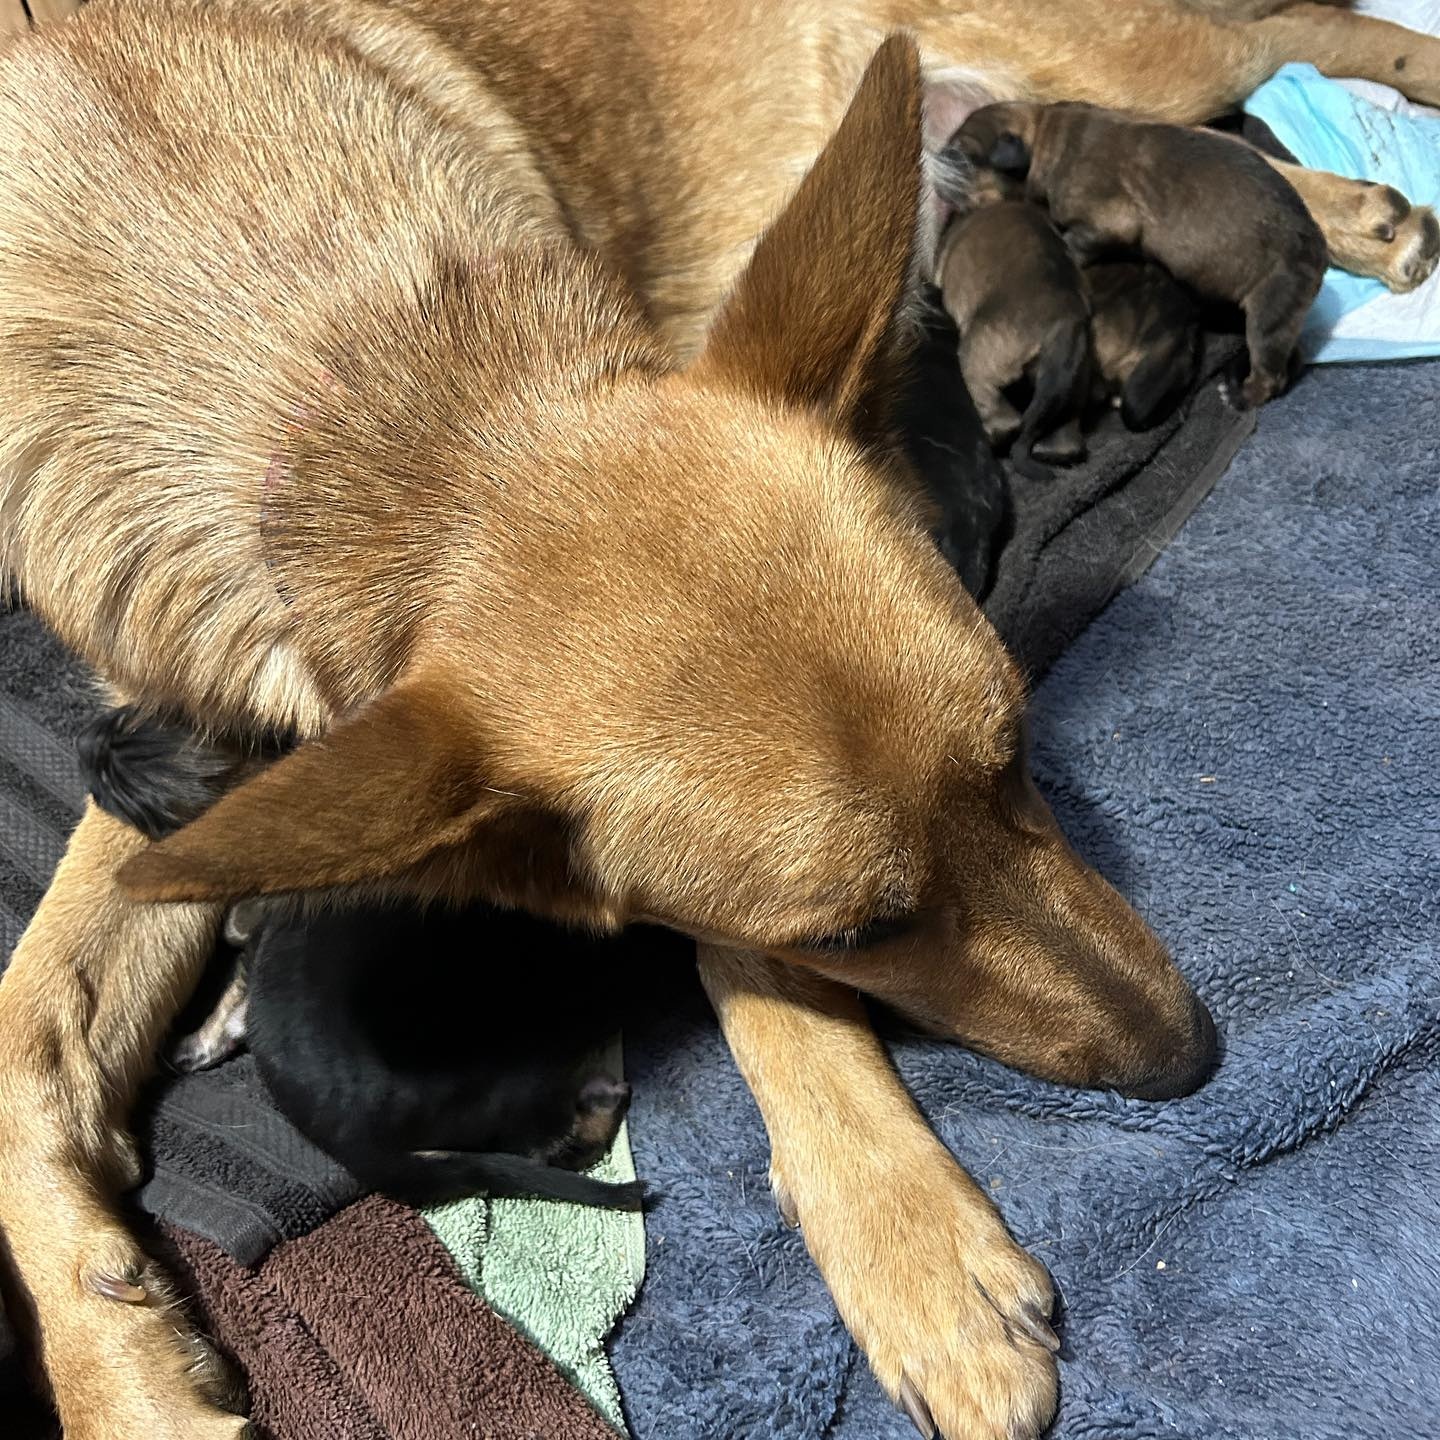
x=1147 y=341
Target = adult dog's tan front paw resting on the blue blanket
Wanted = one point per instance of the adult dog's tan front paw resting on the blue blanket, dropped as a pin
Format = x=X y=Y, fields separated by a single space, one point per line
x=951 y=1313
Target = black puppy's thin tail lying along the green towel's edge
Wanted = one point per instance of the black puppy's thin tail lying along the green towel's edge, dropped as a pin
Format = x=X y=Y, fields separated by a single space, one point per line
x=436 y=1177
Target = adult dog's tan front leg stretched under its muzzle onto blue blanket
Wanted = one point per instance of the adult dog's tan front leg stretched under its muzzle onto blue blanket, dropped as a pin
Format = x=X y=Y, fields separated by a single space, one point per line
x=951 y=1313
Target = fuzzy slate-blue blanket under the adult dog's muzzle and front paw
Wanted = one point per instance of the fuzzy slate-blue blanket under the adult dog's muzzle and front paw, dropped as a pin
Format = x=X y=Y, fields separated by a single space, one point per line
x=1245 y=744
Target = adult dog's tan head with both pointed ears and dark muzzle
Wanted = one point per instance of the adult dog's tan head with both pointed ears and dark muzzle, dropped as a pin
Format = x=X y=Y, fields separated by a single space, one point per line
x=741 y=695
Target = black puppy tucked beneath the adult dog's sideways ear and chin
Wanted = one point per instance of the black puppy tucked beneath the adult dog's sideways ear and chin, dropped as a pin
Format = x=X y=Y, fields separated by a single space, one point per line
x=437 y=1055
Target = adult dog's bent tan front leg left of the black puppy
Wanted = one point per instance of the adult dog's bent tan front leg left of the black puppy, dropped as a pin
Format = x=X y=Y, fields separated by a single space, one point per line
x=84 y=1004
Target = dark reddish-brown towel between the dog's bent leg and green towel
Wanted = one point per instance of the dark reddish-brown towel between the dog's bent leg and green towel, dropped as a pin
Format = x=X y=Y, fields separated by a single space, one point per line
x=364 y=1330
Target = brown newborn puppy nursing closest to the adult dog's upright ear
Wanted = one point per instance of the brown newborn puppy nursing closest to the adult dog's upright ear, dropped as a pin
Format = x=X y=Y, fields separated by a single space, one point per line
x=1017 y=302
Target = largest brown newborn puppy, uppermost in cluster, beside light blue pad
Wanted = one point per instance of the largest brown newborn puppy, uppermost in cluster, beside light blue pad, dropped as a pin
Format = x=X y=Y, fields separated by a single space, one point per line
x=1210 y=210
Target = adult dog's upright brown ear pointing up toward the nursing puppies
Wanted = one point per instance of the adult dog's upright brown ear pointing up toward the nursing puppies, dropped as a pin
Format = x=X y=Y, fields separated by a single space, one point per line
x=817 y=318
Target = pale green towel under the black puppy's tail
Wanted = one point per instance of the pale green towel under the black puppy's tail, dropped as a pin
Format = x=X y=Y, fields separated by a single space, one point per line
x=562 y=1274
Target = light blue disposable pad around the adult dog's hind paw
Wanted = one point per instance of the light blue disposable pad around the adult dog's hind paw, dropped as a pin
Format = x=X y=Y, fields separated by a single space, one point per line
x=1327 y=127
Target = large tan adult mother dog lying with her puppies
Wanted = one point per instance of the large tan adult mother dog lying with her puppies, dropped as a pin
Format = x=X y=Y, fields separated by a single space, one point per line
x=368 y=369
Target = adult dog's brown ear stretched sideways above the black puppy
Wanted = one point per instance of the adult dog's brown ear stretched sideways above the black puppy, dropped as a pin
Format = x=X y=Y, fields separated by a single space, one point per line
x=381 y=793
